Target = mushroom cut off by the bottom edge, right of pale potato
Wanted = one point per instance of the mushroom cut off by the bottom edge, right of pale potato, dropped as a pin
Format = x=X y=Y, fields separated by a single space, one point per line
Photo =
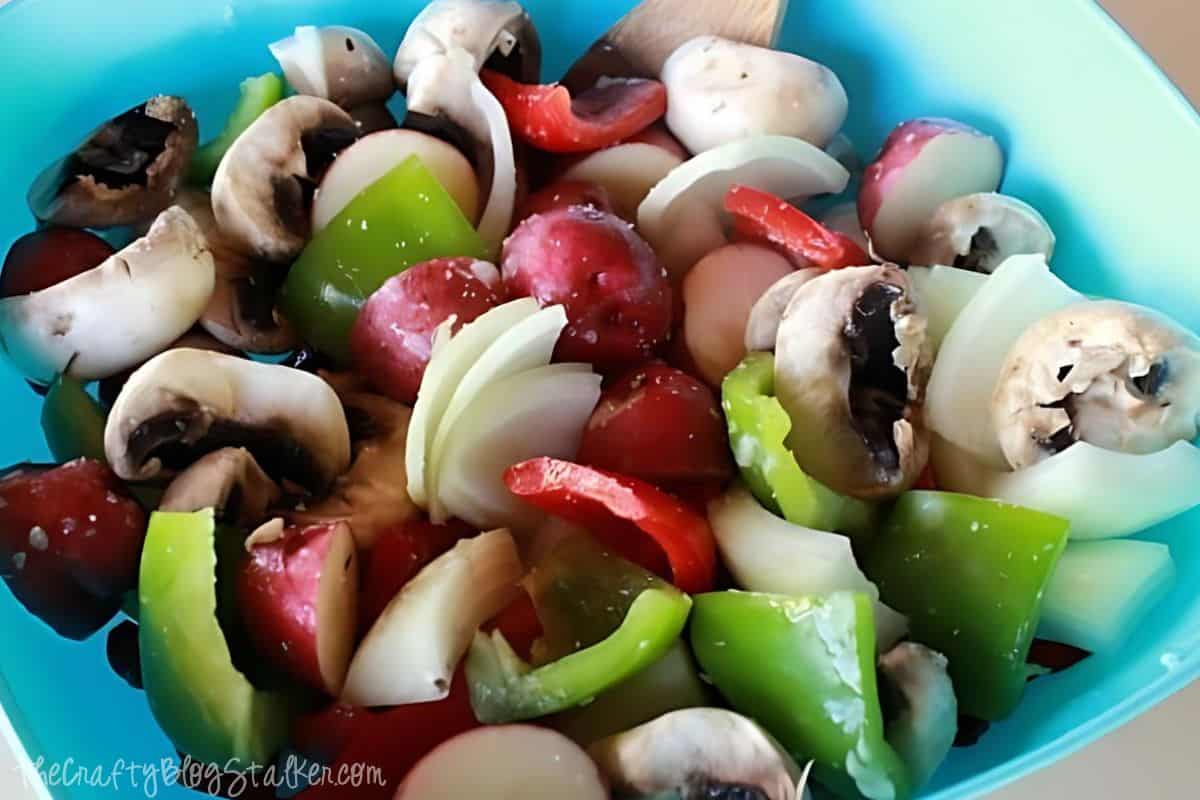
x=700 y=754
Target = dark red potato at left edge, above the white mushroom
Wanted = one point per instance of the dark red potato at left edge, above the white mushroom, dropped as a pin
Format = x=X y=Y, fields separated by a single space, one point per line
x=45 y=258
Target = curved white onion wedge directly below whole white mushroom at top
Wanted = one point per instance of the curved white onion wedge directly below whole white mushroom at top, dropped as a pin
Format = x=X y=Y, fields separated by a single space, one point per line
x=683 y=218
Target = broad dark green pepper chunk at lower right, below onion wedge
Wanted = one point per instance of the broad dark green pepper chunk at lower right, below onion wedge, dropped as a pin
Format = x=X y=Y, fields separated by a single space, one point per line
x=970 y=575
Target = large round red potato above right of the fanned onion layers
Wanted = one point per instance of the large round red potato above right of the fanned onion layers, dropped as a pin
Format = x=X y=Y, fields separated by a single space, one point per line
x=616 y=294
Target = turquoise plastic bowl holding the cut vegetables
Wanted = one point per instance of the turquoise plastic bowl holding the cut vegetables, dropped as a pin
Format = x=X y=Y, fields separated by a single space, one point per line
x=1096 y=139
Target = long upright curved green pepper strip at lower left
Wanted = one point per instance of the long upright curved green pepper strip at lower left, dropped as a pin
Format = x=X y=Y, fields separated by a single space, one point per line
x=205 y=706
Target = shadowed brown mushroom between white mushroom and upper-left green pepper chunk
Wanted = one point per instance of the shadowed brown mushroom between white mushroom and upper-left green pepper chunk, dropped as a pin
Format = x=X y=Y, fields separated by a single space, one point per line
x=243 y=311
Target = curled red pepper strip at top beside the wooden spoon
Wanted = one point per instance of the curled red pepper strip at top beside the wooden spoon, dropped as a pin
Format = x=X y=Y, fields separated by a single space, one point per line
x=550 y=119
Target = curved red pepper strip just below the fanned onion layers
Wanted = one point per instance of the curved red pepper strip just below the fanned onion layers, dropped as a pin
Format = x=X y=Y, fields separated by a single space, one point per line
x=597 y=500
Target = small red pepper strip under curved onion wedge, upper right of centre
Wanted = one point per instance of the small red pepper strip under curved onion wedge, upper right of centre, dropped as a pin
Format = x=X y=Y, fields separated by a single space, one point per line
x=763 y=218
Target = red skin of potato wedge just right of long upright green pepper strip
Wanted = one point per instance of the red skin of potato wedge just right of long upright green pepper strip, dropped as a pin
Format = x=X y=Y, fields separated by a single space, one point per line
x=279 y=592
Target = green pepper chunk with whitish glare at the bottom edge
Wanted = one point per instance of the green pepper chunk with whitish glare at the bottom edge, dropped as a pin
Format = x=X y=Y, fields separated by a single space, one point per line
x=805 y=669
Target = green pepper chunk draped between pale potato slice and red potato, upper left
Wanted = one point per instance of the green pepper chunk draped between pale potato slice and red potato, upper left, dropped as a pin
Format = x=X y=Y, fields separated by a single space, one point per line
x=404 y=219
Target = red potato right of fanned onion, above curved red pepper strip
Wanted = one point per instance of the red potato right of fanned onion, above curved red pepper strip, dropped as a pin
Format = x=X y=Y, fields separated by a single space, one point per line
x=662 y=425
